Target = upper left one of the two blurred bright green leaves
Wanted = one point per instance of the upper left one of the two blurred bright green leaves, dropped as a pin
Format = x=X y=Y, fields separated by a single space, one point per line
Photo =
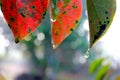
x=93 y=67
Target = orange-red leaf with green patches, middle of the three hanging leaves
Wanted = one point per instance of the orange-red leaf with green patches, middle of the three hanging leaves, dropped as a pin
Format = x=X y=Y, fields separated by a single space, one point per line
x=64 y=19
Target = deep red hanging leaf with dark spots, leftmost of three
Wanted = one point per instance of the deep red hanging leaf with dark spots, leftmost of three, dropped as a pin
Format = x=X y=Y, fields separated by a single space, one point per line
x=23 y=16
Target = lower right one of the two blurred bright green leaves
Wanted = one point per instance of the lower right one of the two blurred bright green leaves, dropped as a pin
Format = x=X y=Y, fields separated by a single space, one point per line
x=102 y=71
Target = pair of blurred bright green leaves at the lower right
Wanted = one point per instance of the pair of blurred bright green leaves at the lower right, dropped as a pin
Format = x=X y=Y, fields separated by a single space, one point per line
x=100 y=69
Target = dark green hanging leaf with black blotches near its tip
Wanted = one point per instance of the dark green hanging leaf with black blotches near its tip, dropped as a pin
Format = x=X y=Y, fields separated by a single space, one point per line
x=100 y=15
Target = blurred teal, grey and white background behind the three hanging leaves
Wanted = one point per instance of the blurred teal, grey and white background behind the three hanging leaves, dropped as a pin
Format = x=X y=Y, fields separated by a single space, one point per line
x=35 y=59
